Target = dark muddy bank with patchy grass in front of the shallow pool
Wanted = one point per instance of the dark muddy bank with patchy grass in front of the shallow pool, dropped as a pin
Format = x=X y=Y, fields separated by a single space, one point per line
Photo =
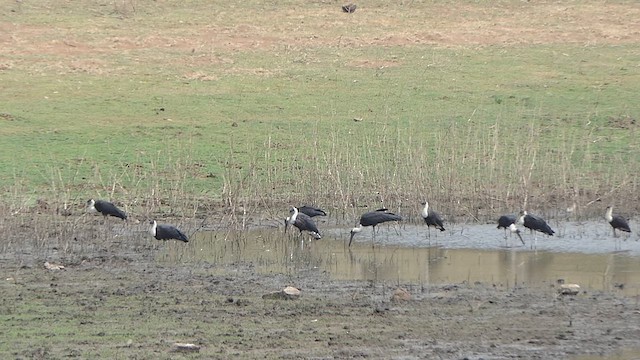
x=118 y=297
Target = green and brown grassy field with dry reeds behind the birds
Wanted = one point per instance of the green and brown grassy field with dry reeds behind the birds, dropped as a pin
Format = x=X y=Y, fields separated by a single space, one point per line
x=480 y=108
